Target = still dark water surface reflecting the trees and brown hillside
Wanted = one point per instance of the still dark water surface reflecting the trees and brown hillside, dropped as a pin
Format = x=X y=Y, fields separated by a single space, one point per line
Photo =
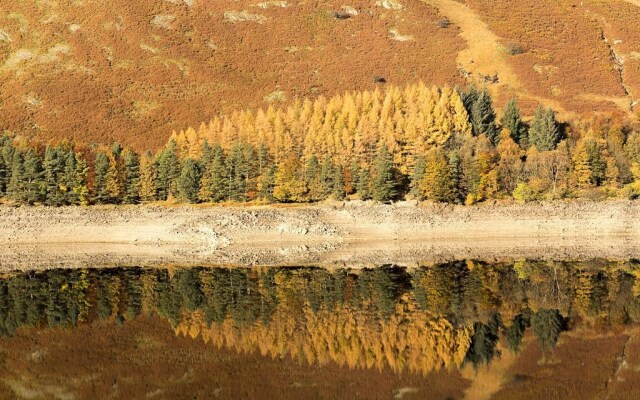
x=469 y=329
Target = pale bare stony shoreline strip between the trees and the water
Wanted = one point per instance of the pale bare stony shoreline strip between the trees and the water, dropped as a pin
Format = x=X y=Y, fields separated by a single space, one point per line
x=352 y=233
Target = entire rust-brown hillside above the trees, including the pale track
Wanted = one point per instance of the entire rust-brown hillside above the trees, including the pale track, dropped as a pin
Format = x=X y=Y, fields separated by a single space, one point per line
x=99 y=71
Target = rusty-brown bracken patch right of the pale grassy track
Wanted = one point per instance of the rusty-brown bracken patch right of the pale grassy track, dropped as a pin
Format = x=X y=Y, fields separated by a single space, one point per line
x=565 y=39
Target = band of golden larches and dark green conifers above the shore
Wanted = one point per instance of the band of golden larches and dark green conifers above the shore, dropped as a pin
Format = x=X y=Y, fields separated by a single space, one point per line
x=418 y=142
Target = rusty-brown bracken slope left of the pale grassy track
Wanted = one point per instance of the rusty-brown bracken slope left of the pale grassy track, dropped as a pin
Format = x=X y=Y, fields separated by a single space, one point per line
x=134 y=71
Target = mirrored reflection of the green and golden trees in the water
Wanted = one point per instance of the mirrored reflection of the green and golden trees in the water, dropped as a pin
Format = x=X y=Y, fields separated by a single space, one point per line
x=419 y=320
